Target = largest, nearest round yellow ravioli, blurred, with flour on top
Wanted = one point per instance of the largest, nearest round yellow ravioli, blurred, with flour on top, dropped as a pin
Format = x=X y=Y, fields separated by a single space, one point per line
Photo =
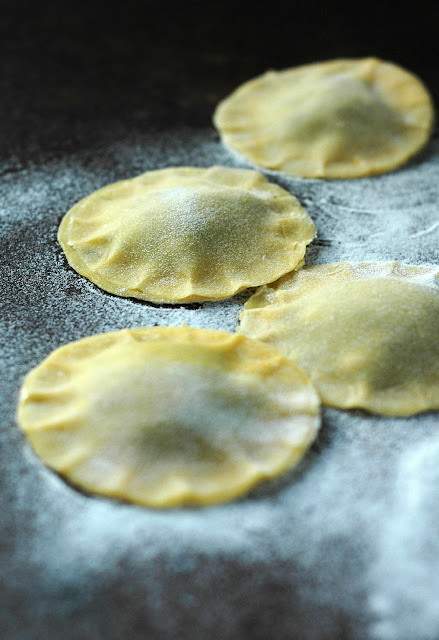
x=168 y=416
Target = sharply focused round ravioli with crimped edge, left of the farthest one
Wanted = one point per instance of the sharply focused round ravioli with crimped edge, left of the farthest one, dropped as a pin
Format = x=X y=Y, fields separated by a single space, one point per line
x=186 y=234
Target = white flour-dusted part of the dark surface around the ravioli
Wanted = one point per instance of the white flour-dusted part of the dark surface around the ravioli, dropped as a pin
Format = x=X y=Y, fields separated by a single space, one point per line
x=334 y=550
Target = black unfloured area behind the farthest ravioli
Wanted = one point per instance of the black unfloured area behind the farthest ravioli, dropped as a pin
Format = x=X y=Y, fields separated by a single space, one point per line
x=74 y=74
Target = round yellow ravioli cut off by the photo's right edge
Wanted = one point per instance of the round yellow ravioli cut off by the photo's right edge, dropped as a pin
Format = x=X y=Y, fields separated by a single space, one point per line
x=367 y=334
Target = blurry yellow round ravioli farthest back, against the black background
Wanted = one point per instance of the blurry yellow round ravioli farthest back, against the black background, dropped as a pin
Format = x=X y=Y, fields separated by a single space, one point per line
x=336 y=119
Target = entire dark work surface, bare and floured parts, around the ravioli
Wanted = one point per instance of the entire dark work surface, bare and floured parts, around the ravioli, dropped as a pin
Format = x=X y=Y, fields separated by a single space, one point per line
x=343 y=549
